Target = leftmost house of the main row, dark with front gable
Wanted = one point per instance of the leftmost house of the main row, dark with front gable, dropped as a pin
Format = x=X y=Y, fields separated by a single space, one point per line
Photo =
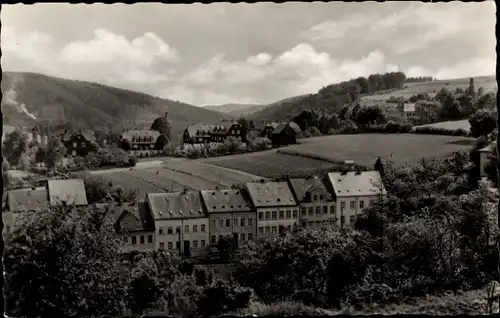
x=134 y=224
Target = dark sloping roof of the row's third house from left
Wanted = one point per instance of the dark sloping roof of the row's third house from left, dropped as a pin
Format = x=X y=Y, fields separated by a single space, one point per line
x=230 y=200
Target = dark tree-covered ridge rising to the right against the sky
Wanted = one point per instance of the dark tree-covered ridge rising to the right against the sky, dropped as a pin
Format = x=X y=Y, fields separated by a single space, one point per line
x=332 y=97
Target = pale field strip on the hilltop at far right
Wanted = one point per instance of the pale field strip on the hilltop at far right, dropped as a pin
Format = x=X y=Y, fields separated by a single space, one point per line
x=431 y=88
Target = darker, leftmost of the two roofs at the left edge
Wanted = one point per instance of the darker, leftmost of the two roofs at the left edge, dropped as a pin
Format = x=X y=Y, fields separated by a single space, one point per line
x=27 y=199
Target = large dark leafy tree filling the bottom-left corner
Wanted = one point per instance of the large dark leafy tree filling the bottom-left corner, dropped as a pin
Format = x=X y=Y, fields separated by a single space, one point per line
x=63 y=262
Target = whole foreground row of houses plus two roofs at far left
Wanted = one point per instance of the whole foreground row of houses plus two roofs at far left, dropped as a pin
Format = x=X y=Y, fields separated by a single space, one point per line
x=190 y=222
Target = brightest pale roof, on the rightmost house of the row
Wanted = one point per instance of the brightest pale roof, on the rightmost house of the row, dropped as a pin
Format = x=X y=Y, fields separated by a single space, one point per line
x=353 y=184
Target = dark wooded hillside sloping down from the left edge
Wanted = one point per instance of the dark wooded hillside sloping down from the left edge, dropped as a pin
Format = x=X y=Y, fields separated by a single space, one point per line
x=93 y=105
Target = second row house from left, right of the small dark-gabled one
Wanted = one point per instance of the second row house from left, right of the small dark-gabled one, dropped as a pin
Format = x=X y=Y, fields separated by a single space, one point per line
x=179 y=217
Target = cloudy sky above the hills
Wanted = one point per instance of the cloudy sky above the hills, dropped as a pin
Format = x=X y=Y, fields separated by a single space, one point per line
x=247 y=53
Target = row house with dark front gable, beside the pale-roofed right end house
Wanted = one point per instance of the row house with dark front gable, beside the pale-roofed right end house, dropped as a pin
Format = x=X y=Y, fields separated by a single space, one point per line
x=317 y=206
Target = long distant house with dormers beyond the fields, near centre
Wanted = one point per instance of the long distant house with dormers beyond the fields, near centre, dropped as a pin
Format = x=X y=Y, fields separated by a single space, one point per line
x=200 y=134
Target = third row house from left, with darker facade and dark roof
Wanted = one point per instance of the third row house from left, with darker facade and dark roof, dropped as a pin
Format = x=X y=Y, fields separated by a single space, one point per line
x=229 y=213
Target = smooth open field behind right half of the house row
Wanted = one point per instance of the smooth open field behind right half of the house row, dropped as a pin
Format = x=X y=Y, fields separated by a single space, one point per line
x=317 y=154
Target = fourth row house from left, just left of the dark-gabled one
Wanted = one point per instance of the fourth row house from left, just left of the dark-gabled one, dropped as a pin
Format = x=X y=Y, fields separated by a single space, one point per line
x=275 y=206
